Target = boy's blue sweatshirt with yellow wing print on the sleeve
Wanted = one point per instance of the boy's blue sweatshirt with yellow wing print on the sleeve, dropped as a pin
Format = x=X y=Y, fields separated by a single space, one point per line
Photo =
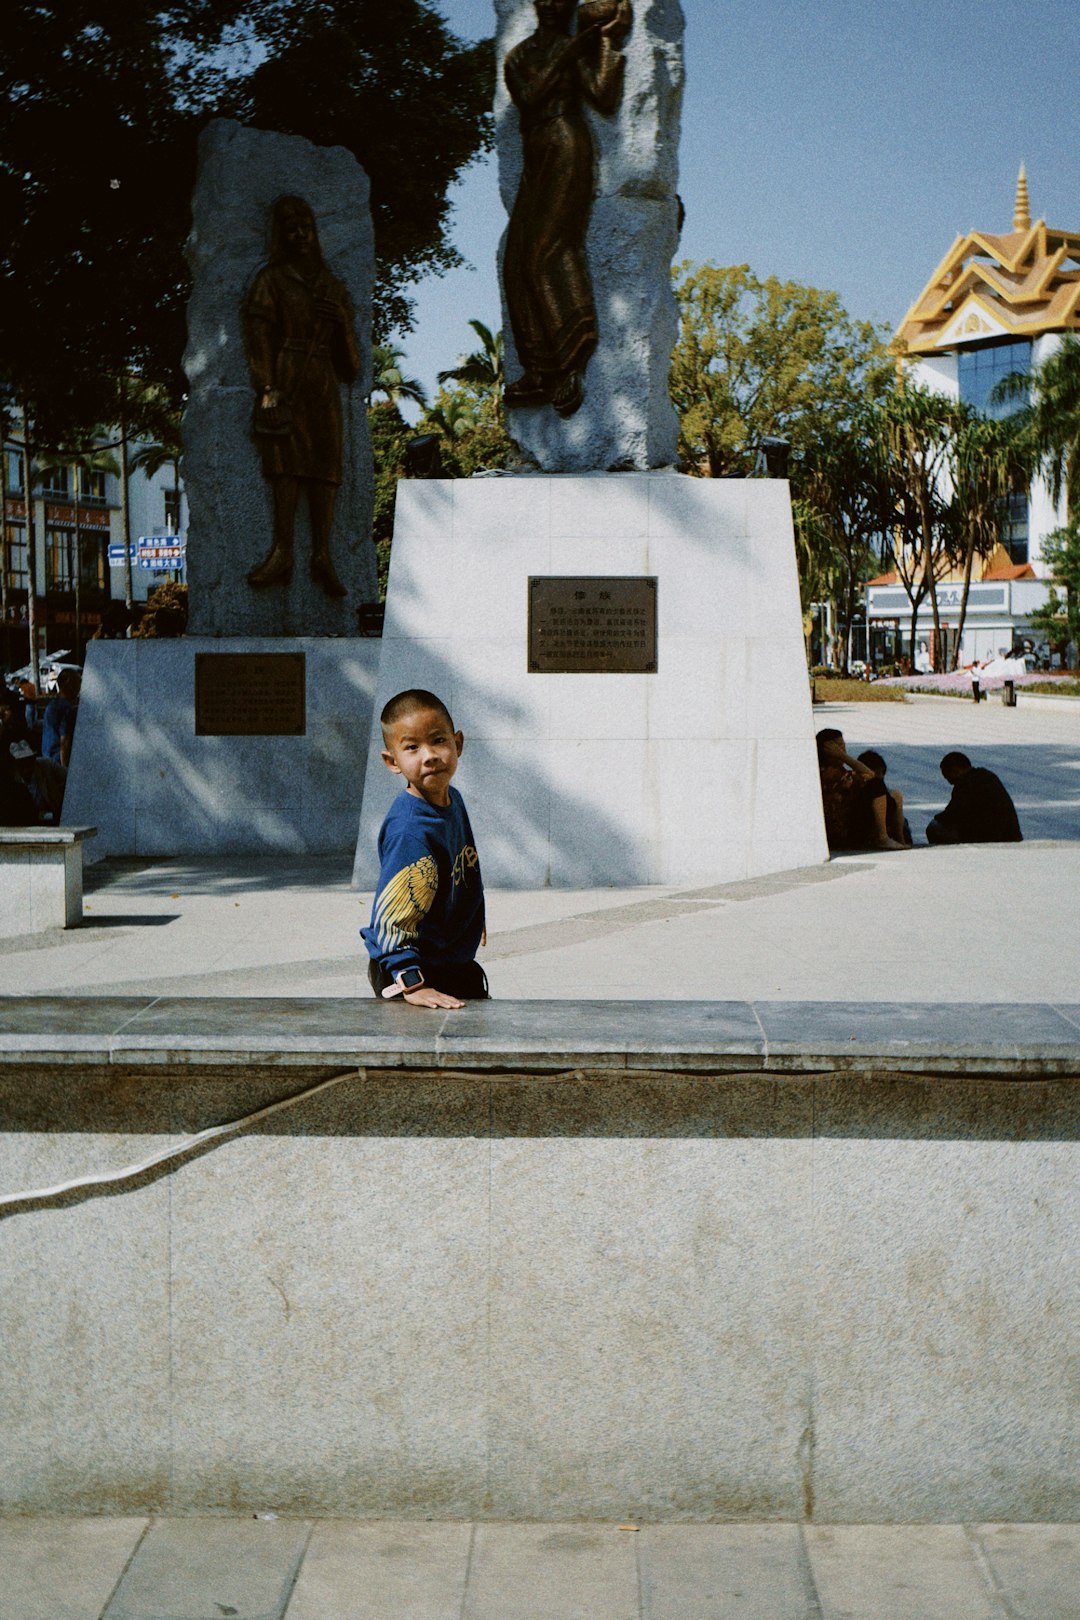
x=430 y=903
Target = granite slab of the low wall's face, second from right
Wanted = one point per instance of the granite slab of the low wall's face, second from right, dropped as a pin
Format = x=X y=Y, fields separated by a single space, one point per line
x=636 y=1289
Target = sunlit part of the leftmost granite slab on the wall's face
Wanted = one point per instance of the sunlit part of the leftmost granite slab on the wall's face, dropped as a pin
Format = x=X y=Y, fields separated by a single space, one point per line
x=85 y=1331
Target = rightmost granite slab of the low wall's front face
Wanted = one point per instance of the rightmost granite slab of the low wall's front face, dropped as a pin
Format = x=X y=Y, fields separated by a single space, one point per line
x=945 y=1263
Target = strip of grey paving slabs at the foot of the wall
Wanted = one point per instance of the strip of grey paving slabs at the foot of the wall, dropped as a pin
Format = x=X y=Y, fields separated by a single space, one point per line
x=333 y=1571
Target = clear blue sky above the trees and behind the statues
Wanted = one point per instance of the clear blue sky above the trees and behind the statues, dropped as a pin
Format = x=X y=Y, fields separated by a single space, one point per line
x=841 y=143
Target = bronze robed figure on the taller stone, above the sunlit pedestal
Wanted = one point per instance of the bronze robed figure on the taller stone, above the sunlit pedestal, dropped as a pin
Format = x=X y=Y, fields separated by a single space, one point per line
x=546 y=276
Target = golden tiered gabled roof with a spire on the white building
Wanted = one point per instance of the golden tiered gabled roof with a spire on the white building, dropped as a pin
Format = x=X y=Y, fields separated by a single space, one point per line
x=1019 y=284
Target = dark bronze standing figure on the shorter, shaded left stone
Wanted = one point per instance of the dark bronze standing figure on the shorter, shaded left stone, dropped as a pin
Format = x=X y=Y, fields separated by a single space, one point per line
x=302 y=347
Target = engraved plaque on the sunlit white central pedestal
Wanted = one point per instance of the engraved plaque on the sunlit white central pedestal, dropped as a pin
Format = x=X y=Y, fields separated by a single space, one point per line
x=593 y=626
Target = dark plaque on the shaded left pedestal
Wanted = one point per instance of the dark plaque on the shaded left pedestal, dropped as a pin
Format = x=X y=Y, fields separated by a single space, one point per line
x=250 y=696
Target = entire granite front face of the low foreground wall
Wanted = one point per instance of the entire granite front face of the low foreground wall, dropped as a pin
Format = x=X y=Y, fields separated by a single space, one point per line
x=595 y=1295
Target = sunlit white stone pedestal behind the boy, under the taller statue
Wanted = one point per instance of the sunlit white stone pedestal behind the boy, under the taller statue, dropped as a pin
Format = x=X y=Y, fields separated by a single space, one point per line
x=700 y=774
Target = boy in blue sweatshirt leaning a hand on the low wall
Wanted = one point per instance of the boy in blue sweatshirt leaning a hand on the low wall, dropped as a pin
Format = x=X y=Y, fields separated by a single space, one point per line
x=428 y=914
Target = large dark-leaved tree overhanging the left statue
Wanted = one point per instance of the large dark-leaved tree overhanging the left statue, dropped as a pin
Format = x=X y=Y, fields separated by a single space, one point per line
x=100 y=117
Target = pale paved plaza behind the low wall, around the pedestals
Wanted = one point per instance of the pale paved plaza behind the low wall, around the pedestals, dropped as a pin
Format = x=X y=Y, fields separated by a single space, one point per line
x=948 y=924
